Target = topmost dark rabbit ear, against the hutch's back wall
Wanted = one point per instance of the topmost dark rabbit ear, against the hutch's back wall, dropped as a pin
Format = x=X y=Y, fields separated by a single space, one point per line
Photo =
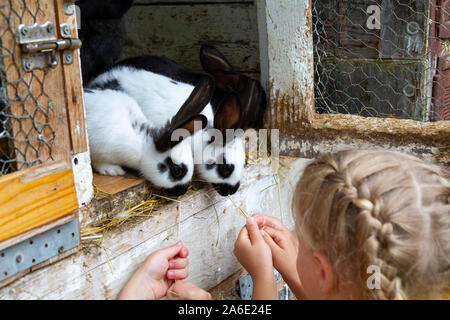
x=214 y=63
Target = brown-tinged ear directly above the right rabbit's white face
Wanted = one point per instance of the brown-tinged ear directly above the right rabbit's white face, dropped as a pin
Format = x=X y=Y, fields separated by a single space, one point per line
x=229 y=114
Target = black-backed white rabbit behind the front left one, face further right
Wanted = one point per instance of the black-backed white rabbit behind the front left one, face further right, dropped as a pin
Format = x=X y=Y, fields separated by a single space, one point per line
x=148 y=78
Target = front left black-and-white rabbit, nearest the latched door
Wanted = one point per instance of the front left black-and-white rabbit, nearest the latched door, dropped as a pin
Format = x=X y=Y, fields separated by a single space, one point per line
x=120 y=135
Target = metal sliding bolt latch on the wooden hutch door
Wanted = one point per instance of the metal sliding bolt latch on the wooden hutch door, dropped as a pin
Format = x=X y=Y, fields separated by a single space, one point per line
x=40 y=45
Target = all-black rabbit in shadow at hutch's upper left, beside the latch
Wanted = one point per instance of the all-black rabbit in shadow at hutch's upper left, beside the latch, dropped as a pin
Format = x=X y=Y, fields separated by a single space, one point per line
x=102 y=33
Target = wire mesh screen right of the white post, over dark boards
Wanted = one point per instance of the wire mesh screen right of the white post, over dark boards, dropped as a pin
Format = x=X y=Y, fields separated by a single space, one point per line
x=381 y=59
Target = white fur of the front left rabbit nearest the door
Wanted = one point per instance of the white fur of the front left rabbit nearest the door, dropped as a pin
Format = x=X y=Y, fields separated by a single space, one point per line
x=115 y=143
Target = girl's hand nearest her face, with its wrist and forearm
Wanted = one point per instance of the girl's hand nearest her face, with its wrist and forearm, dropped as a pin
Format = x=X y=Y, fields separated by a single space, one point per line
x=284 y=247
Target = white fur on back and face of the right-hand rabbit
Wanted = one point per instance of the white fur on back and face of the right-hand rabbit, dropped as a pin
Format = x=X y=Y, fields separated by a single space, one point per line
x=160 y=98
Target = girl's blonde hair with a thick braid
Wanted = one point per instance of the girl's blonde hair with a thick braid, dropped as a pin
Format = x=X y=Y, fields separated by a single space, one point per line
x=364 y=208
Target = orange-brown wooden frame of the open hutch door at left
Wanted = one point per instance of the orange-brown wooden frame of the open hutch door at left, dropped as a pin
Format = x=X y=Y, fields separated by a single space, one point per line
x=57 y=188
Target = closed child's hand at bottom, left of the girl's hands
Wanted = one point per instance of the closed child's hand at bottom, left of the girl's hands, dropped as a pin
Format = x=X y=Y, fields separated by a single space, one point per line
x=157 y=274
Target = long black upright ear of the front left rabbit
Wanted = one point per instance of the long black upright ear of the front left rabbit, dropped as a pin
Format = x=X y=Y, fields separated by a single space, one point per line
x=196 y=102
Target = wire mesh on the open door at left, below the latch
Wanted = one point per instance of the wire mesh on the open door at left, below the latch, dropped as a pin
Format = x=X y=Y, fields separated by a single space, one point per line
x=26 y=137
